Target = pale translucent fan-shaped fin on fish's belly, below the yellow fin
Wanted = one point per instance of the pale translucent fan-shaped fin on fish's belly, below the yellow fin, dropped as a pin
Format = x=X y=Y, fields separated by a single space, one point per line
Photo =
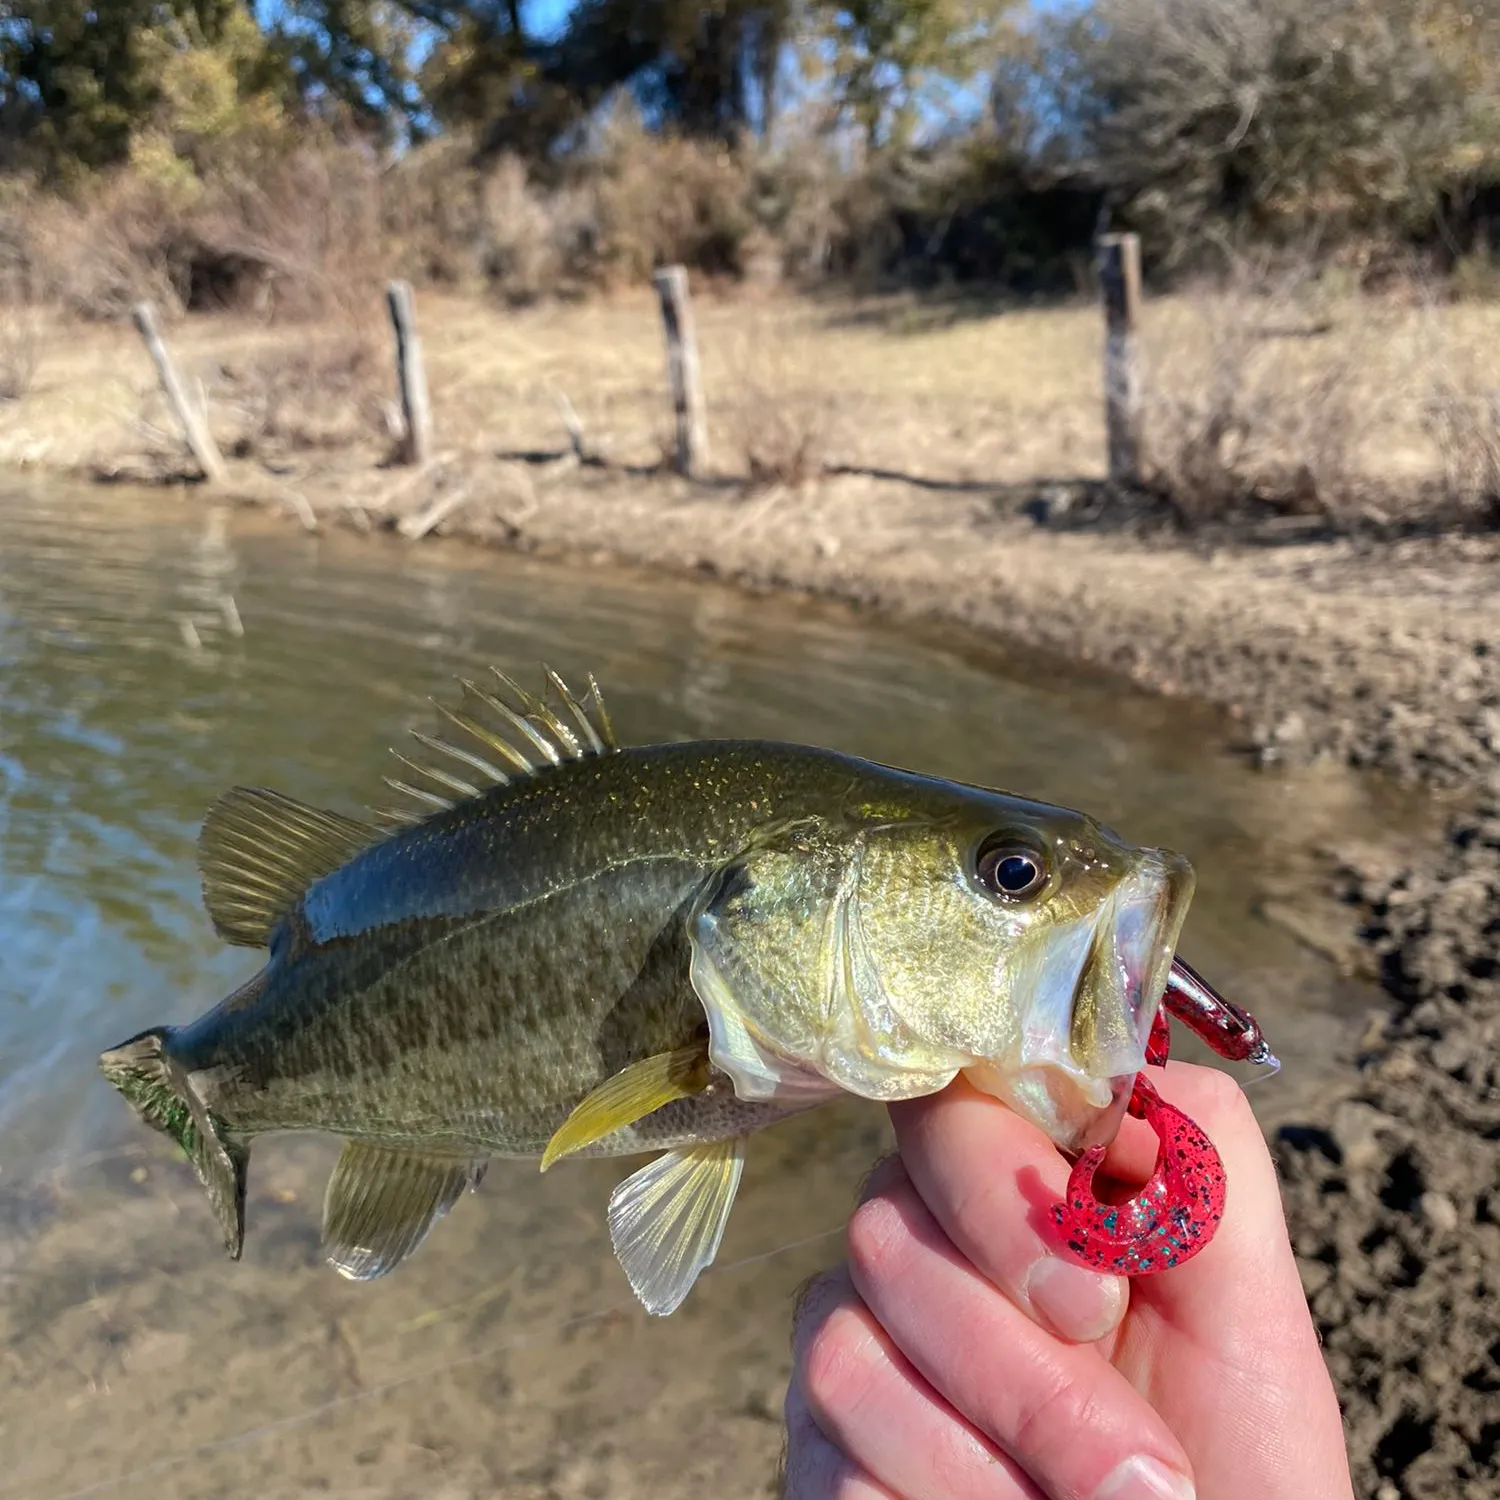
x=667 y=1220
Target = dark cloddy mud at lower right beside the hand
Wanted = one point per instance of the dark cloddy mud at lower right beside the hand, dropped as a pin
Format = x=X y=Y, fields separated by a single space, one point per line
x=1394 y=1189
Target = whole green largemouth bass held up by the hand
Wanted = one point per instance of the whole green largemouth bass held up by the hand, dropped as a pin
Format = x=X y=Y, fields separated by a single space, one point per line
x=563 y=947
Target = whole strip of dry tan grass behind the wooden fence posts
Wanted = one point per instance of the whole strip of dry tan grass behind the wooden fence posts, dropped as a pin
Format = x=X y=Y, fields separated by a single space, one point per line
x=1249 y=406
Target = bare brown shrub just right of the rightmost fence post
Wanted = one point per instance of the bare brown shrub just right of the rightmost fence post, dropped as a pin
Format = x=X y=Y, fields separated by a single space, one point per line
x=1258 y=404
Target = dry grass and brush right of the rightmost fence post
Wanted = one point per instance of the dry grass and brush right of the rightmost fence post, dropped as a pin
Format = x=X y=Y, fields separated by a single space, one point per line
x=1274 y=395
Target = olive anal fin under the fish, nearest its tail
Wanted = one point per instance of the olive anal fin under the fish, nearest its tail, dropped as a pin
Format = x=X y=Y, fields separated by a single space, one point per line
x=383 y=1201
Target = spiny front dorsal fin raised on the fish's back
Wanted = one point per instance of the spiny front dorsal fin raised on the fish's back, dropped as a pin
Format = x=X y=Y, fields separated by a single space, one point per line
x=502 y=737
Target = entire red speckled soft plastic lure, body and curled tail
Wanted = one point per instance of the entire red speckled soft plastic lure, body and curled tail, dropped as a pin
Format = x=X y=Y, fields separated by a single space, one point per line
x=1180 y=1208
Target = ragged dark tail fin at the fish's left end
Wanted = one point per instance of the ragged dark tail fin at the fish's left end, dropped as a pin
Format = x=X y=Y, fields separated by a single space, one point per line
x=161 y=1094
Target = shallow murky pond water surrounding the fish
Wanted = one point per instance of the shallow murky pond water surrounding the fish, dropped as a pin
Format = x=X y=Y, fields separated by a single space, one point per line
x=154 y=655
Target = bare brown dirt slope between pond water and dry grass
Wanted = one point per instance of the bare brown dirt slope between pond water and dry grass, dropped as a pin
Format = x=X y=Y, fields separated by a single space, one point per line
x=1379 y=653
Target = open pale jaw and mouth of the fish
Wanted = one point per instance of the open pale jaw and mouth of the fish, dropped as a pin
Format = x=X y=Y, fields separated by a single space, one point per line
x=1087 y=1006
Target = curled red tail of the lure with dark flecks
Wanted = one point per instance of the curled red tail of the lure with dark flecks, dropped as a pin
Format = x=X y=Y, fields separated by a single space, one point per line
x=1171 y=1220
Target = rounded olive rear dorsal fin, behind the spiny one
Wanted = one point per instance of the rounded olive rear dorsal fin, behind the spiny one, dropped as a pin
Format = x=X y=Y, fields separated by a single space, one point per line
x=260 y=851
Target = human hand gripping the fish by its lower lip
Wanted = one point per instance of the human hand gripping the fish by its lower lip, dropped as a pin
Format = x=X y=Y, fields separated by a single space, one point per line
x=959 y=1357
